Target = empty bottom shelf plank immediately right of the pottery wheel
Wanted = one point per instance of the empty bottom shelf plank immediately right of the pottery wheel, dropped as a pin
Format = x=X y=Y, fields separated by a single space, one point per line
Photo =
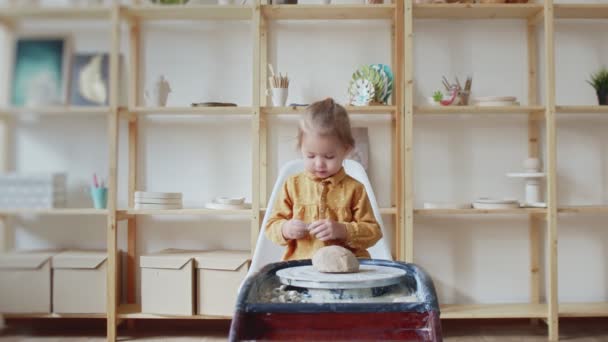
x=456 y=311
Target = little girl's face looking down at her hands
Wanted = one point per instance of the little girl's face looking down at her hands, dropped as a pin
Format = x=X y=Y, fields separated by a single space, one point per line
x=323 y=155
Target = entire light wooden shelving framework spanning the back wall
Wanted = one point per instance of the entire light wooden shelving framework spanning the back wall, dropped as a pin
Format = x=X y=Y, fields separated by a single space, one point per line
x=402 y=110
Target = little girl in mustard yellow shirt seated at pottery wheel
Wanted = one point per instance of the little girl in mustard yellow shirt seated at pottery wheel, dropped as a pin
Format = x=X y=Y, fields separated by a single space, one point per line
x=323 y=206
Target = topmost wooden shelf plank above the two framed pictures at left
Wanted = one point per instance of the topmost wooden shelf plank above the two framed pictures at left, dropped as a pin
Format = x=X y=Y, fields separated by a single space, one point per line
x=54 y=13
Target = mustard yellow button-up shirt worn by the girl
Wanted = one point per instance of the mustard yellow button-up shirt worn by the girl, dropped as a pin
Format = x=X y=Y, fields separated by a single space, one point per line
x=340 y=198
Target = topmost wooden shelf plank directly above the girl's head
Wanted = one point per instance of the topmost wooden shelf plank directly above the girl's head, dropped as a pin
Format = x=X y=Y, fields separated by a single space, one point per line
x=328 y=12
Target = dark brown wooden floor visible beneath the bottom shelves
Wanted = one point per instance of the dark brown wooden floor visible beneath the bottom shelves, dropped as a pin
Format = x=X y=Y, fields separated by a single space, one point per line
x=574 y=330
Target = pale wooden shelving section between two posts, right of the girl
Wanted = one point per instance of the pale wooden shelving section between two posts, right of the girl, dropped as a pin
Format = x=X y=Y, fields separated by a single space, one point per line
x=532 y=15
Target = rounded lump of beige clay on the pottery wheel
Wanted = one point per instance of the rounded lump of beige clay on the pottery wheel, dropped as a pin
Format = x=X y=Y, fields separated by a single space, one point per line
x=335 y=259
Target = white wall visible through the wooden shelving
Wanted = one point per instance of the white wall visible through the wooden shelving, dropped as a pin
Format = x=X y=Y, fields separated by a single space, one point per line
x=472 y=259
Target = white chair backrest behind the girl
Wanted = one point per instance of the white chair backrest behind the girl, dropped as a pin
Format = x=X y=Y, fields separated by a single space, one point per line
x=268 y=252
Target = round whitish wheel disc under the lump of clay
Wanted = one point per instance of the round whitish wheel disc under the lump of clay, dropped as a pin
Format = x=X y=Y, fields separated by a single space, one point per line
x=368 y=276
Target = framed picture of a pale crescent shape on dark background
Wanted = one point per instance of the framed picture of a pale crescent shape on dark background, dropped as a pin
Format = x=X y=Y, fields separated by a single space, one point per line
x=89 y=84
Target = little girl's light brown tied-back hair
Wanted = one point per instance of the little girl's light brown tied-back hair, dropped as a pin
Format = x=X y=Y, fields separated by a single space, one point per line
x=326 y=118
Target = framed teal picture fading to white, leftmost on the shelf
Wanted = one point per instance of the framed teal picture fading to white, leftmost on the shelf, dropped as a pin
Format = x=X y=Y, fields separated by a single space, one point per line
x=40 y=71
